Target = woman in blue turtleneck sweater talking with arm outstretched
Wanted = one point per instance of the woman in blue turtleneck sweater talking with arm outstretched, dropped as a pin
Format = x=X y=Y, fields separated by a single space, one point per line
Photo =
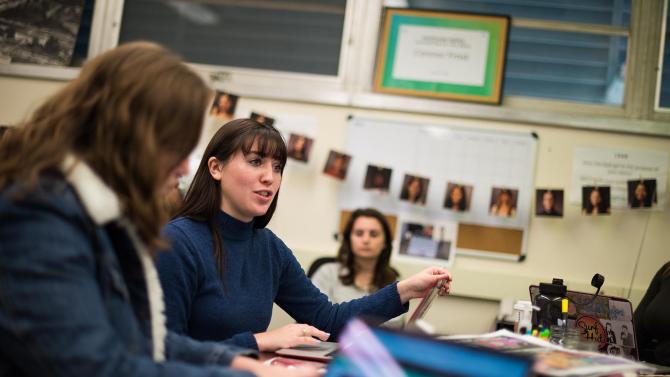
x=226 y=269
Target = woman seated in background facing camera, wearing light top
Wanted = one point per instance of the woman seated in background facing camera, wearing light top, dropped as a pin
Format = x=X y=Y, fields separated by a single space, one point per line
x=362 y=265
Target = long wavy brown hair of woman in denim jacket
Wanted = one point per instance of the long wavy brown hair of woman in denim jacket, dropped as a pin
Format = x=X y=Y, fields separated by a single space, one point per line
x=129 y=108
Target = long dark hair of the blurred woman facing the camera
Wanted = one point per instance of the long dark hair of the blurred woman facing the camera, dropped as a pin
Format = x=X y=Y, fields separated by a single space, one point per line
x=384 y=274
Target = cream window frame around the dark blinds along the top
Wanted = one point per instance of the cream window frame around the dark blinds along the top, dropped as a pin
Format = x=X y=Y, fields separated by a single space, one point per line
x=353 y=84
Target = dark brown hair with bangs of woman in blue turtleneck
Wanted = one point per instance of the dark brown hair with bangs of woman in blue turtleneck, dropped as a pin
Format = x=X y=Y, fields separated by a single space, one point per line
x=203 y=199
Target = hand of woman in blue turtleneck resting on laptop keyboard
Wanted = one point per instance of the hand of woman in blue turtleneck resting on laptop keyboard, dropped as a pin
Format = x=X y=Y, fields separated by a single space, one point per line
x=289 y=336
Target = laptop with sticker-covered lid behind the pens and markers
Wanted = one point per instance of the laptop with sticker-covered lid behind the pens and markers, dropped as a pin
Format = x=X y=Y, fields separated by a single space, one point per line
x=607 y=321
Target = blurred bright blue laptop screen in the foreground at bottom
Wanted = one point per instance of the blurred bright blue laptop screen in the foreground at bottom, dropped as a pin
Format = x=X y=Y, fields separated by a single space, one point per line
x=368 y=352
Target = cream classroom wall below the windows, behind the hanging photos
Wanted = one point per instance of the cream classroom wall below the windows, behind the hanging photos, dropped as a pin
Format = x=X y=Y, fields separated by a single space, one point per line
x=574 y=247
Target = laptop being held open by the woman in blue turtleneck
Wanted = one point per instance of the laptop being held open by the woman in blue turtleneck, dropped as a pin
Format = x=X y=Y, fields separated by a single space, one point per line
x=325 y=351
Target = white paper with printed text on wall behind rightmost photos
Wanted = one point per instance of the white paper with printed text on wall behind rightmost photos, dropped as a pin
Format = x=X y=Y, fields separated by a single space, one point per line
x=614 y=167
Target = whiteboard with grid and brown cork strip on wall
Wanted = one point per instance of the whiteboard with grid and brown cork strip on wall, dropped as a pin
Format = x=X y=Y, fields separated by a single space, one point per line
x=483 y=159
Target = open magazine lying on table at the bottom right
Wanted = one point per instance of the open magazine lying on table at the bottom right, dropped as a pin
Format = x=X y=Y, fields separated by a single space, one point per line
x=551 y=359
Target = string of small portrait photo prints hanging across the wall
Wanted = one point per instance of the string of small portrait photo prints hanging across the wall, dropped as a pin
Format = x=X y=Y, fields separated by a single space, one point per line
x=503 y=203
